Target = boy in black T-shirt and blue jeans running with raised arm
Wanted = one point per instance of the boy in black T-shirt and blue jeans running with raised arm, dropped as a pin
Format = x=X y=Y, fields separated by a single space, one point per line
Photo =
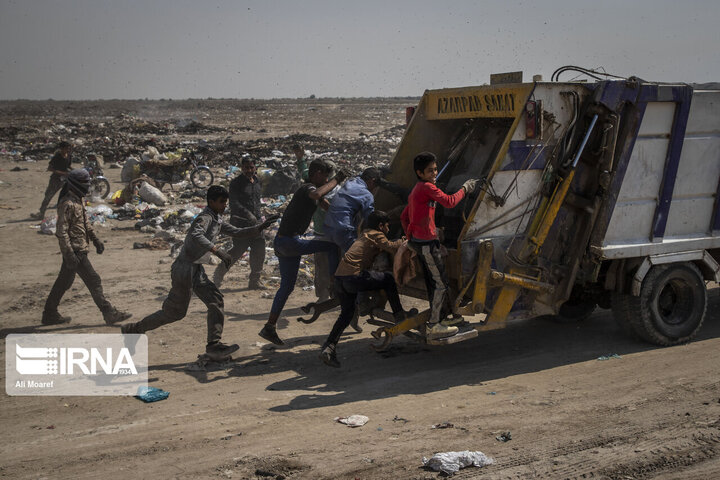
x=289 y=247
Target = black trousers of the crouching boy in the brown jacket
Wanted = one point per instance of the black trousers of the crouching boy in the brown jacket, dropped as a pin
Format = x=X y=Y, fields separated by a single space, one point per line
x=347 y=289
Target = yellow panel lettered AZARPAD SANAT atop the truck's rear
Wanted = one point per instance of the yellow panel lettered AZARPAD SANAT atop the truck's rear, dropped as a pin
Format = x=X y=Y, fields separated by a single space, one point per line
x=476 y=102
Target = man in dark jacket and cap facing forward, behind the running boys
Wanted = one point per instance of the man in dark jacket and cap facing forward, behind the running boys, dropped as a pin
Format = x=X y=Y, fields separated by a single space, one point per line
x=245 y=192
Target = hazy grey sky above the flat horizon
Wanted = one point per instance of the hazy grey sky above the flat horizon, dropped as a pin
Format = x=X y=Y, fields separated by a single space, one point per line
x=90 y=49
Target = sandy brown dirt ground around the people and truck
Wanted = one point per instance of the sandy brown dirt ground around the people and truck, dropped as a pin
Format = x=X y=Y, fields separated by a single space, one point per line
x=653 y=413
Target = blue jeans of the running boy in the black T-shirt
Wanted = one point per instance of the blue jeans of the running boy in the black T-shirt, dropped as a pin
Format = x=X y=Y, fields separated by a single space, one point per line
x=289 y=250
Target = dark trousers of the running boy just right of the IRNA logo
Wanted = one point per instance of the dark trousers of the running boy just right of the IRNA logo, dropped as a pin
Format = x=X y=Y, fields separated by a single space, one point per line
x=188 y=278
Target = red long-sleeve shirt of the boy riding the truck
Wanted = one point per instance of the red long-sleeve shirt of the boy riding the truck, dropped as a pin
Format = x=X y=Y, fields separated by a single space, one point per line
x=418 y=218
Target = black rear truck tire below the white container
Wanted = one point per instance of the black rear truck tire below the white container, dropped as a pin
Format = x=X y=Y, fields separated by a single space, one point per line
x=671 y=307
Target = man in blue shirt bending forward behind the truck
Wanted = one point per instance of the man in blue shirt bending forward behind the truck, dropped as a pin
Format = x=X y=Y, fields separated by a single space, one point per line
x=353 y=199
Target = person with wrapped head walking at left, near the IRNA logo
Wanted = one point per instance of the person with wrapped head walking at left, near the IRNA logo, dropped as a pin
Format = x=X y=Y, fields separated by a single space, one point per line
x=75 y=234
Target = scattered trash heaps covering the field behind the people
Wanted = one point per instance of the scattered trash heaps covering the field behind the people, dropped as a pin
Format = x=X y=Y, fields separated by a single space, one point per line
x=164 y=210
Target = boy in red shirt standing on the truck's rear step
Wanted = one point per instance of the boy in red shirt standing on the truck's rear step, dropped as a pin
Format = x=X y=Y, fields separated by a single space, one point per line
x=418 y=220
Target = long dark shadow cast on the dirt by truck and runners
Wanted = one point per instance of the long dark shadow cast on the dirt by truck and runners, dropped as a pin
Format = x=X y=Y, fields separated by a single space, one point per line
x=409 y=368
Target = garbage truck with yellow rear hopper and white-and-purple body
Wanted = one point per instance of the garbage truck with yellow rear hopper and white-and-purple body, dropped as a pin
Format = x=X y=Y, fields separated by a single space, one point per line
x=601 y=193
